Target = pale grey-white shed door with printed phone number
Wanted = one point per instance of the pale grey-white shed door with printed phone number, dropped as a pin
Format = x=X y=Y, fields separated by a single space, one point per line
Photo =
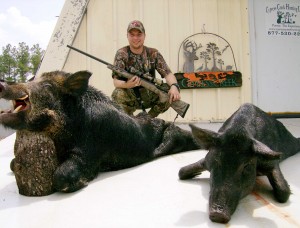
x=275 y=46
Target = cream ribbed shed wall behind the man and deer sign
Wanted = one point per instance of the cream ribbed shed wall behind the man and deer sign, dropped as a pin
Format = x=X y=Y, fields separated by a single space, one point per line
x=167 y=22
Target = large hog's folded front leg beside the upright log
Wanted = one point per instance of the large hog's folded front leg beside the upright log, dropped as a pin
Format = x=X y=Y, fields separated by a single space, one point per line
x=68 y=177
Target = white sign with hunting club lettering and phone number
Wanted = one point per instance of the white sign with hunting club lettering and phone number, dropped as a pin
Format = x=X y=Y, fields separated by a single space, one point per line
x=283 y=18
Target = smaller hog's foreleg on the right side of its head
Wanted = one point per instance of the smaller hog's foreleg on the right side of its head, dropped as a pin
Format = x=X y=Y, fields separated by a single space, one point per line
x=280 y=186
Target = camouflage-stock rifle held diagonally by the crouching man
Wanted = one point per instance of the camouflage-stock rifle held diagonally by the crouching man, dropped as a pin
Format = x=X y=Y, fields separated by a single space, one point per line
x=179 y=106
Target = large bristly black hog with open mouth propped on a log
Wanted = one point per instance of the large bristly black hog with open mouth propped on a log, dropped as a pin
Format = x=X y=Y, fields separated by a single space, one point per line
x=90 y=132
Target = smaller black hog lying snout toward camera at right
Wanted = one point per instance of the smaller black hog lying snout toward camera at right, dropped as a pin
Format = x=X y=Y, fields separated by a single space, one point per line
x=249 y=143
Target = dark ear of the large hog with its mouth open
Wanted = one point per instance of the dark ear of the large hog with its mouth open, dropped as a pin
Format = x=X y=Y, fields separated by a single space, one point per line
x=78 y=82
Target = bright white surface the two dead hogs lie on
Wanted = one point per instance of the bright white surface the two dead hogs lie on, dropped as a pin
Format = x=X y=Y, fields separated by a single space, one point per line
x=149 y=195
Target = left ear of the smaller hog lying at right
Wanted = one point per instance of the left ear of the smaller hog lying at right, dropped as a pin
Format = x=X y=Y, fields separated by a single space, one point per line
x=204 y=137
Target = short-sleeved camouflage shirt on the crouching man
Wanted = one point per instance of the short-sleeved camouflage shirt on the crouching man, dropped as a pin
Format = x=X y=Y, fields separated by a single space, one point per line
x=147 y=62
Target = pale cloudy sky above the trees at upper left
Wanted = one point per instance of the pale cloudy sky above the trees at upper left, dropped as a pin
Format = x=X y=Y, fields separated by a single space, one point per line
x=29 y=21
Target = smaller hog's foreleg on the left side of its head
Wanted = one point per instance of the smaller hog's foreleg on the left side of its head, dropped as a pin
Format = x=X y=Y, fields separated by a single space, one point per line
x=192 y=170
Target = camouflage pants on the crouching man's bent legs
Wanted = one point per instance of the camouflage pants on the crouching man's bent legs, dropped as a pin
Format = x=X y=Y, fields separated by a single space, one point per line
x=127 y=99
